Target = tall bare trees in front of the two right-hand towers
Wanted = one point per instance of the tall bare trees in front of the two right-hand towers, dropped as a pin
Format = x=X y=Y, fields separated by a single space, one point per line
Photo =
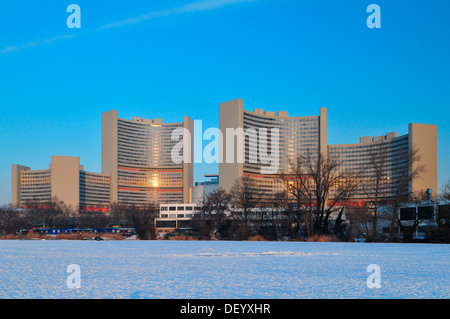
x=318 y=200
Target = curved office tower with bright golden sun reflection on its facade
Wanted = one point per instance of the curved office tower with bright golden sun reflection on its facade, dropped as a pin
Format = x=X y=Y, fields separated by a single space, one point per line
x=137 y=155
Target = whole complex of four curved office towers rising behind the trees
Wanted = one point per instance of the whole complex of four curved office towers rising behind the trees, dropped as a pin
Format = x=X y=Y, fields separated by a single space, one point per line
x=139 y=166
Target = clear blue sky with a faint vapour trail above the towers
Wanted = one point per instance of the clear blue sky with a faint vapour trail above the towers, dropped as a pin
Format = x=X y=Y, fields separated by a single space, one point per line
x=166 y=59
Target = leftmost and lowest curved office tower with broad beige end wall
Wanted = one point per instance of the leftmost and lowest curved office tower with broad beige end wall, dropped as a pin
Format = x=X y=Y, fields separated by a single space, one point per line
x=66 y=180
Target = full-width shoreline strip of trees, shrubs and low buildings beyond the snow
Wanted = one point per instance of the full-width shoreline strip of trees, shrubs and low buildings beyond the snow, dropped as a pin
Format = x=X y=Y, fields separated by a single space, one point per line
x=239 y=216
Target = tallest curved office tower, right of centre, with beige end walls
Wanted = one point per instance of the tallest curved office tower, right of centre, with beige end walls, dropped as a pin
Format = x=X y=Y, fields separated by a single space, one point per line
x=266 y=157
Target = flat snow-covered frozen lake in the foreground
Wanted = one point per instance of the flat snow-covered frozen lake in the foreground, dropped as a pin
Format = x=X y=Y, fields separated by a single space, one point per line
x=220 y=269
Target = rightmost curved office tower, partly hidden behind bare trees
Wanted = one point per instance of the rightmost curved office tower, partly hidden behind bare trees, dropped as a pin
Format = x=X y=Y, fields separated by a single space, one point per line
x=390 y=154
